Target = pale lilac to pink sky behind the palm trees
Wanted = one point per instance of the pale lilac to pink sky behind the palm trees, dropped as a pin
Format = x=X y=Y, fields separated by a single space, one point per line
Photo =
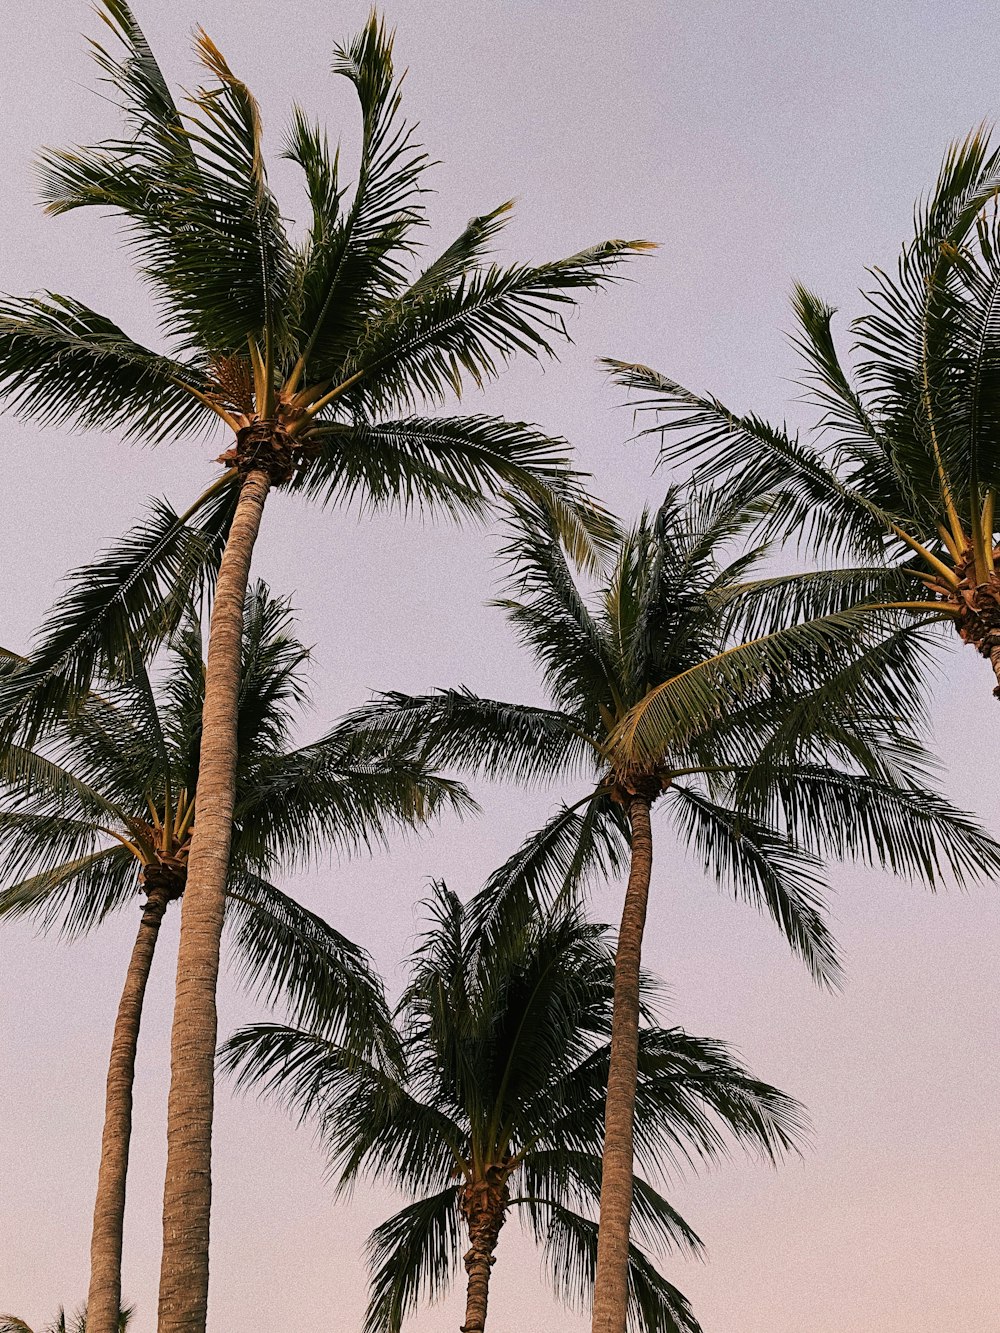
x=759 y=142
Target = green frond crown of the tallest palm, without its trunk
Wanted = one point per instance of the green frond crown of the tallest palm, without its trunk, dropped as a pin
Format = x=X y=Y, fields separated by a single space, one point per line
x=330 y=345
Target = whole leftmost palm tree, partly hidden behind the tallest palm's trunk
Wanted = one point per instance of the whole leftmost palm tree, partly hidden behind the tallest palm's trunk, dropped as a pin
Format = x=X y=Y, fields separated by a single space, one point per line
x=102 y=815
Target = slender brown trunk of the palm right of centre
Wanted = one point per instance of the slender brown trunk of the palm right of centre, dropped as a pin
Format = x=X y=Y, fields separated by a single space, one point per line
x=611 y=1286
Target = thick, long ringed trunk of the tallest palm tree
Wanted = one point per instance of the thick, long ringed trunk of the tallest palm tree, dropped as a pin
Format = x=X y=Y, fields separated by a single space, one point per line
x=189 y=1186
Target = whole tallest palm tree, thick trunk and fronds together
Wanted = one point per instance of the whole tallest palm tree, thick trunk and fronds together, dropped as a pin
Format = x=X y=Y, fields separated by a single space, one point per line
x=303 y=351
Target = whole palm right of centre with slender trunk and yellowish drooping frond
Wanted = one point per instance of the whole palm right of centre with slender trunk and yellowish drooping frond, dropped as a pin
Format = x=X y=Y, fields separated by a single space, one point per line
x=766 y=754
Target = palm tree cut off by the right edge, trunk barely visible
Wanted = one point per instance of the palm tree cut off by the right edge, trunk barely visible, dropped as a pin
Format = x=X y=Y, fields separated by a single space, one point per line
x=903 y=471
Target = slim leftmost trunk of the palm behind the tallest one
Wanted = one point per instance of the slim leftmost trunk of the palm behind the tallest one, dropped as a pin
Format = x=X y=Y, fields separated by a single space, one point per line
x=105 y=1299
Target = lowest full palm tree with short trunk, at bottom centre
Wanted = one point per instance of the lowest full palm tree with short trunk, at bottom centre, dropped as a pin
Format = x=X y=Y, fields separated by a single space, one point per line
x=498 y=1111
